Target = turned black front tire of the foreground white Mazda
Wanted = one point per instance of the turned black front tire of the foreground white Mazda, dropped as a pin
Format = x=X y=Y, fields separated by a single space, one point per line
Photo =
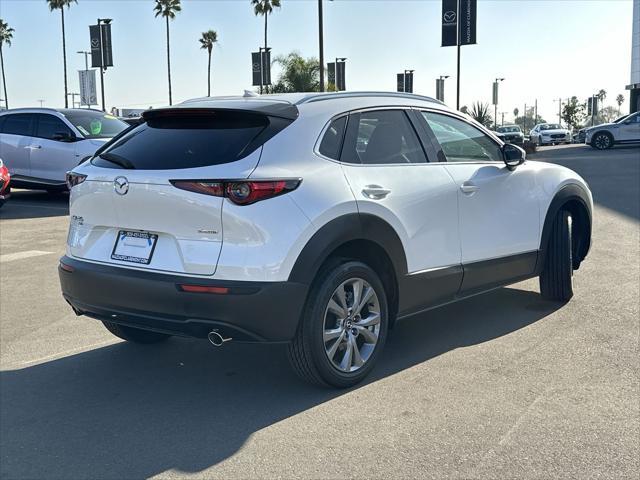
x=556 y=279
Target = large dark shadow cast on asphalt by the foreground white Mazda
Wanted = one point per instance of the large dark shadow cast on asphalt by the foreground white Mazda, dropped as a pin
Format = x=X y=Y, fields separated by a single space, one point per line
x=128 y=411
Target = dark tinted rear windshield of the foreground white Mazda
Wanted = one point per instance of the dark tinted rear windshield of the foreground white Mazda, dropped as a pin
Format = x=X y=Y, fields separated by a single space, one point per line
x=186 y=141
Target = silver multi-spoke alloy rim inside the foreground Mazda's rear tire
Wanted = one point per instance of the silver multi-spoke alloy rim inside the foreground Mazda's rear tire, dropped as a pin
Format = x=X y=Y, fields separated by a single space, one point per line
x=351 y=326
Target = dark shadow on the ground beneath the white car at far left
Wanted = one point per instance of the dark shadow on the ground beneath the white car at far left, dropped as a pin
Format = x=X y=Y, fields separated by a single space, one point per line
x=35 y=204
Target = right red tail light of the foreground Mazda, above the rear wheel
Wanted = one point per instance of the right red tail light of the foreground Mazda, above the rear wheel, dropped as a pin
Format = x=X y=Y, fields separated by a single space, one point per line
x=240 y=192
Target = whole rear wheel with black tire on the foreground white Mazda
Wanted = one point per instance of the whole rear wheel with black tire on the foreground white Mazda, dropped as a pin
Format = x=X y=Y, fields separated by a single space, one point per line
x=324 y=329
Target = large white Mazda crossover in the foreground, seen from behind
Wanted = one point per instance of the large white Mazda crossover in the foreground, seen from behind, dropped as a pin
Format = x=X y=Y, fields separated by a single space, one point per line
x=319 y=220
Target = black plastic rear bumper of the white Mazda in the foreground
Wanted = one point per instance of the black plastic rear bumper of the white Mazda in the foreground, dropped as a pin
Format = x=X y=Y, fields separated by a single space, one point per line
x=249 y=312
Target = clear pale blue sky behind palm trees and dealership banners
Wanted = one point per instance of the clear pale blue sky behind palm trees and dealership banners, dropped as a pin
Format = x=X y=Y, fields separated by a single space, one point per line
x=544 y=48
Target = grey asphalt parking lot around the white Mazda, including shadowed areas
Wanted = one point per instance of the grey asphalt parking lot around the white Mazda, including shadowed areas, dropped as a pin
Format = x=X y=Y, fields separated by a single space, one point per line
x=503 y=385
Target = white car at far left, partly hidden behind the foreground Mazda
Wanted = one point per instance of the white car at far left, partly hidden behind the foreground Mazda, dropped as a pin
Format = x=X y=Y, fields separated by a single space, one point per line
x=39 y=145
